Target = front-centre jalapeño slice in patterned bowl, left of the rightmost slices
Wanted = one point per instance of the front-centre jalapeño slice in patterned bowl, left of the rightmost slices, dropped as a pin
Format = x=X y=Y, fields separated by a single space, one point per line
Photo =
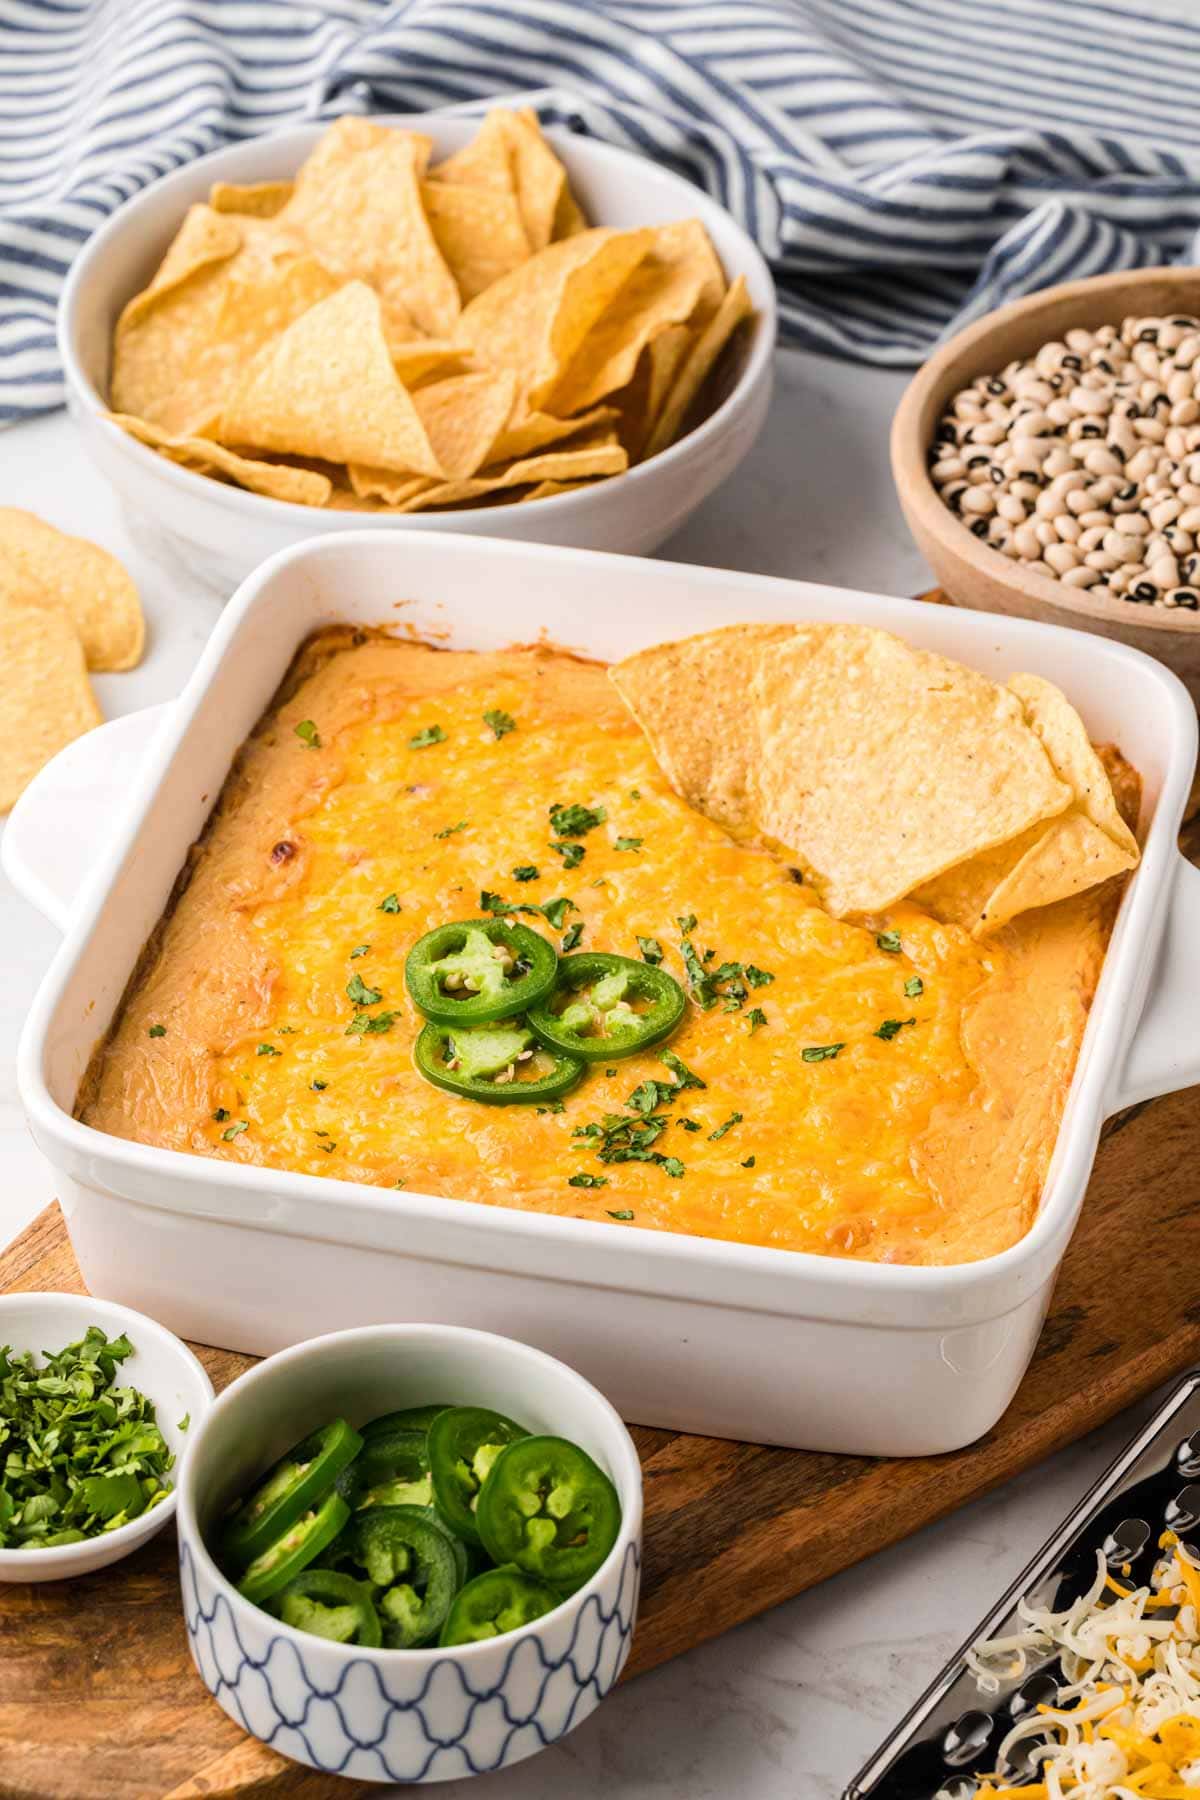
x=411 y=1558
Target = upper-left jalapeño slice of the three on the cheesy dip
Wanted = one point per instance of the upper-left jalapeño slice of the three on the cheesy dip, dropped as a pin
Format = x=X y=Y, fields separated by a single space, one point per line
x=479 y=971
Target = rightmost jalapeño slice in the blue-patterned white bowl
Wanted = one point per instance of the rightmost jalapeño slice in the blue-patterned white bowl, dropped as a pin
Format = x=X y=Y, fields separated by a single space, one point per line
x=550 y=1509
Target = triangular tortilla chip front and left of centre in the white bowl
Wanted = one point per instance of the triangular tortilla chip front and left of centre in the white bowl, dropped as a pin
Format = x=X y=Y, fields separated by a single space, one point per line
x=327 y=388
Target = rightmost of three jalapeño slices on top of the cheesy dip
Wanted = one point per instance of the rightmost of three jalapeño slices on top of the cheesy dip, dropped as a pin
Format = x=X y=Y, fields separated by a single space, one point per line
x=607 y=1007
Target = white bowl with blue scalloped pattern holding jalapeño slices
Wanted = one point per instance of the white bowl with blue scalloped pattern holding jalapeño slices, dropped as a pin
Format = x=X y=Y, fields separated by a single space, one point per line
x=404 y=1716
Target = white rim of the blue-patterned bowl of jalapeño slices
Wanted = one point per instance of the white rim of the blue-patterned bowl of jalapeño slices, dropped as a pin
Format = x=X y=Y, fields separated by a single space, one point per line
x=431 y=1653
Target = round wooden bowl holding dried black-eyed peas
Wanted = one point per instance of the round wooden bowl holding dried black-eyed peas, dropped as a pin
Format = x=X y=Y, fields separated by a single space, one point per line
x=974 y=573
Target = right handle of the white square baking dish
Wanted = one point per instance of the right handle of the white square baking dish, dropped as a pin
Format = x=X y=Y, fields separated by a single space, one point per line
x=1165 y=1054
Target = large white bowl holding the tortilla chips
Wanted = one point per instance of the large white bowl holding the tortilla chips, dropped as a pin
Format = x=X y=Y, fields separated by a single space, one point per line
x=226 y=532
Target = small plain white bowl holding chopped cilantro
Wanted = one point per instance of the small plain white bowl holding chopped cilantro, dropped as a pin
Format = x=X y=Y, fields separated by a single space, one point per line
x=161 y=1367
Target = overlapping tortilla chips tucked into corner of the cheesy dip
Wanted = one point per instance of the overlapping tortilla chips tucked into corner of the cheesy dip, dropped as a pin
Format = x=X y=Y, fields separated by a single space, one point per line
x=886 y=771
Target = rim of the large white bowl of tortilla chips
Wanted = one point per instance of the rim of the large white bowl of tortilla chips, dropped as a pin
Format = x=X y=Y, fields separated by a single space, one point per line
x=192 y=483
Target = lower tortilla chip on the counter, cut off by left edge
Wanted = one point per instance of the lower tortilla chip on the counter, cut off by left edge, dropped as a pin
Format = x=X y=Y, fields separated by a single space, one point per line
x=46 y=697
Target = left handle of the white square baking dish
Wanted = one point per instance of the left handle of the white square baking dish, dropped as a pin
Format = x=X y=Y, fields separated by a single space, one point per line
x=66 y=816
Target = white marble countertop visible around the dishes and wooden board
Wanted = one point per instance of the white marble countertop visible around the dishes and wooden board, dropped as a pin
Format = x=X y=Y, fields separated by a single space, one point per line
x=791 y=1705
